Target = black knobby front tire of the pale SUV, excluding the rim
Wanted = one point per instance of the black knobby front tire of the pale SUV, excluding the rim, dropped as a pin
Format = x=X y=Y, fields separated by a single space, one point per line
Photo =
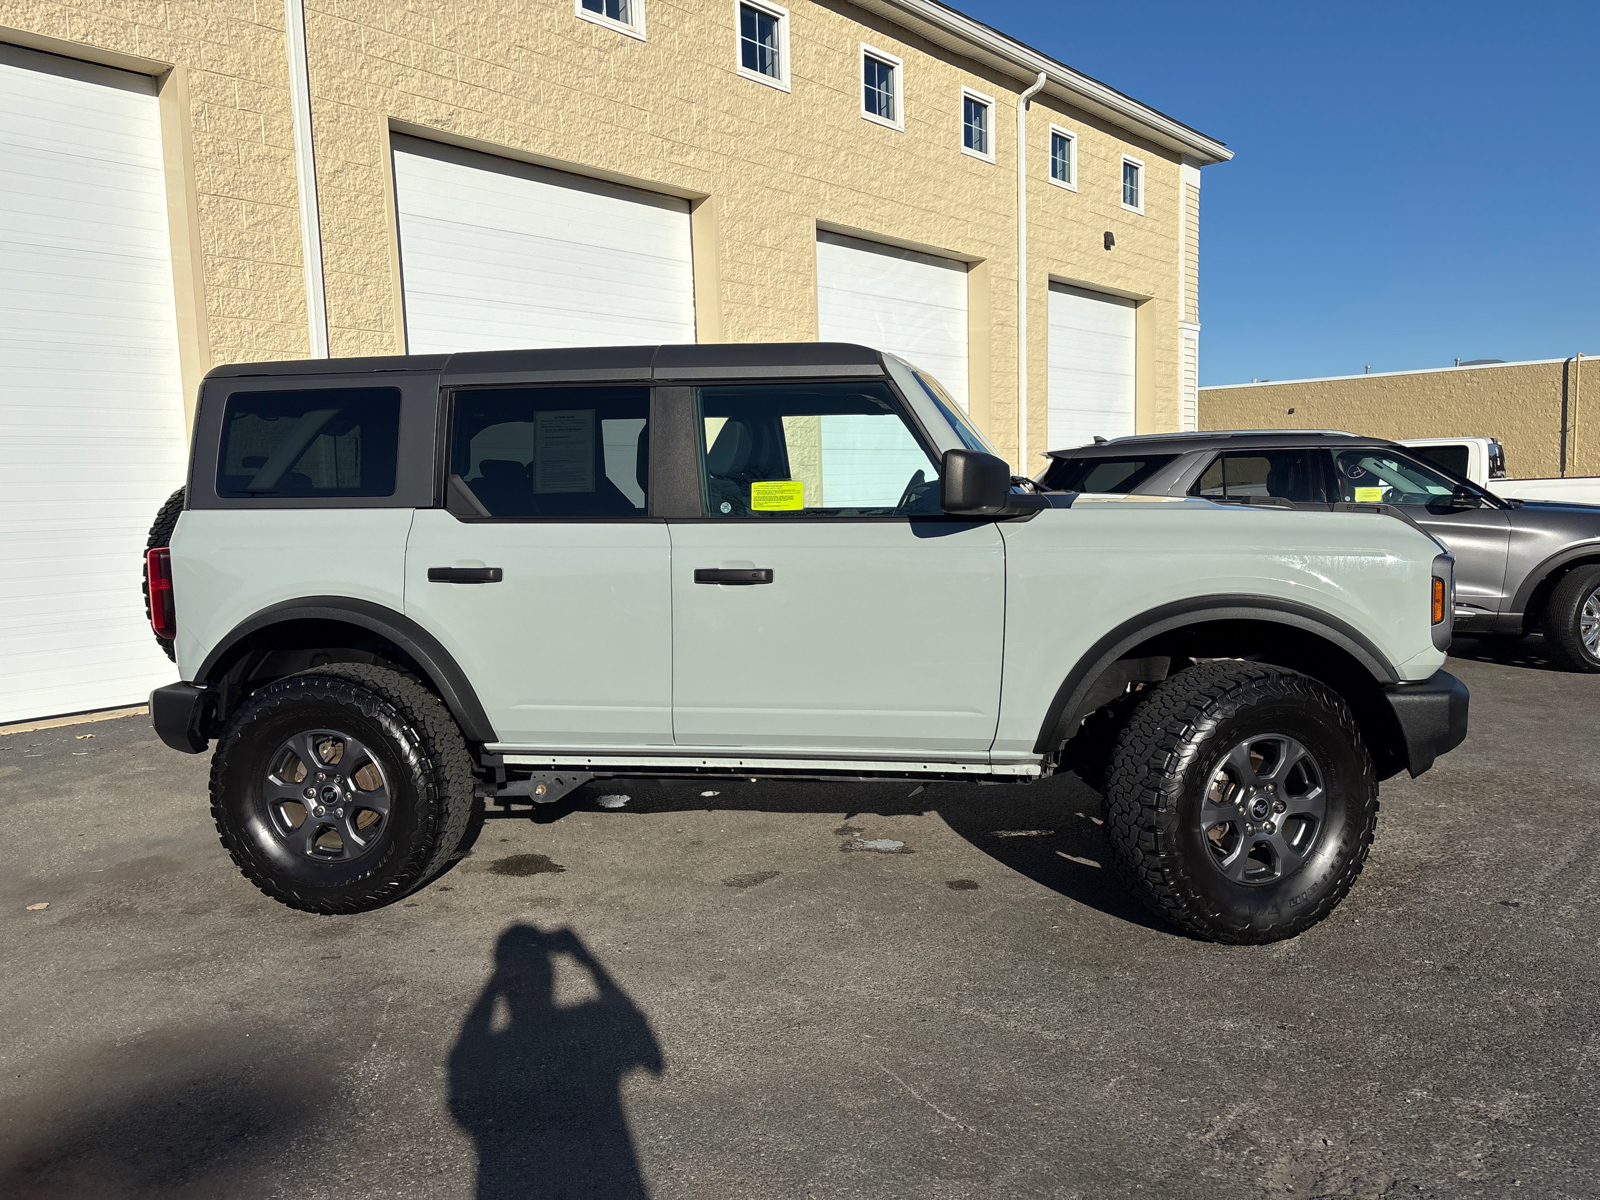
x=1159 y=780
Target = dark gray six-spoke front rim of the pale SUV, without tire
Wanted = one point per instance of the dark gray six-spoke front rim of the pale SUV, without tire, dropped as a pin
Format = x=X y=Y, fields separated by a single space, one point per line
x=1263 y=809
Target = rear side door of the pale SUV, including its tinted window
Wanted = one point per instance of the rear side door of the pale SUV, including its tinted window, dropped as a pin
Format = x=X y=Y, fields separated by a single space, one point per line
x=558 y=602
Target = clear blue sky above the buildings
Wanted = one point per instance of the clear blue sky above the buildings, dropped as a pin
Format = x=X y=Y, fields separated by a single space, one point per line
x=1412 y=183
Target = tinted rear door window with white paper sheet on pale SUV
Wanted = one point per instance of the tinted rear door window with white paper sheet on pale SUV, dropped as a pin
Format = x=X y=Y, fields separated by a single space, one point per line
x=554 y=452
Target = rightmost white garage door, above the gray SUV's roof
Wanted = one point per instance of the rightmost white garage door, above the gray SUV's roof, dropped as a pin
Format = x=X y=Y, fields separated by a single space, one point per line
x=1090 y=367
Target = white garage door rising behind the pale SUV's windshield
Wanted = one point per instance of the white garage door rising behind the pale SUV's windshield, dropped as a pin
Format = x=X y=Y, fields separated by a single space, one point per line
x=898 y=302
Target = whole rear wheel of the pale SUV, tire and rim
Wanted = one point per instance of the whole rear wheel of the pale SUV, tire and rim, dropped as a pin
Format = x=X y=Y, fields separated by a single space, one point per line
x=342 y=790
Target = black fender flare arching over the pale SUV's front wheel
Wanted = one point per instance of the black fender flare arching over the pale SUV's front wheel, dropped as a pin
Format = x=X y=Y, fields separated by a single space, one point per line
x=1166 y=618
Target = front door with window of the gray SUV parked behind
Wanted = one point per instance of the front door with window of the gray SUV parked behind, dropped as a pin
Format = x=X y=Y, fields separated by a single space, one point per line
x=1476 y=529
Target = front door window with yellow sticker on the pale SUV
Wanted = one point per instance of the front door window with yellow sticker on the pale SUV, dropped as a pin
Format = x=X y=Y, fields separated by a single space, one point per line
x=814 y=450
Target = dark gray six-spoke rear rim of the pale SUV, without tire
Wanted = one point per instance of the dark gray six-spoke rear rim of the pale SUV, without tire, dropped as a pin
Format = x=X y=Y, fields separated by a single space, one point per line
x=327 y=798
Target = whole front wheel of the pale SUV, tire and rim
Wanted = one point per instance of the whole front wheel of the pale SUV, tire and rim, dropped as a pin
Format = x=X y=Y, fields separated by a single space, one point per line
x=1242 y=802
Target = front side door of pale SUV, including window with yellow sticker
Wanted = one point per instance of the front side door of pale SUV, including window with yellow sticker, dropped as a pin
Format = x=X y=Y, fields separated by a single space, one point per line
x=823 y=602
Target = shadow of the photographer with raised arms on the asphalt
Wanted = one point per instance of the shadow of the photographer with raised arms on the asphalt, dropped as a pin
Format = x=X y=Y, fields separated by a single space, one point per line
x=538 y=1084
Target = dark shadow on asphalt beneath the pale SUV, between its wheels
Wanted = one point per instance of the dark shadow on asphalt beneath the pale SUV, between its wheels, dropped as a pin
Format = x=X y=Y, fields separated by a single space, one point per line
x=1052 y=831
